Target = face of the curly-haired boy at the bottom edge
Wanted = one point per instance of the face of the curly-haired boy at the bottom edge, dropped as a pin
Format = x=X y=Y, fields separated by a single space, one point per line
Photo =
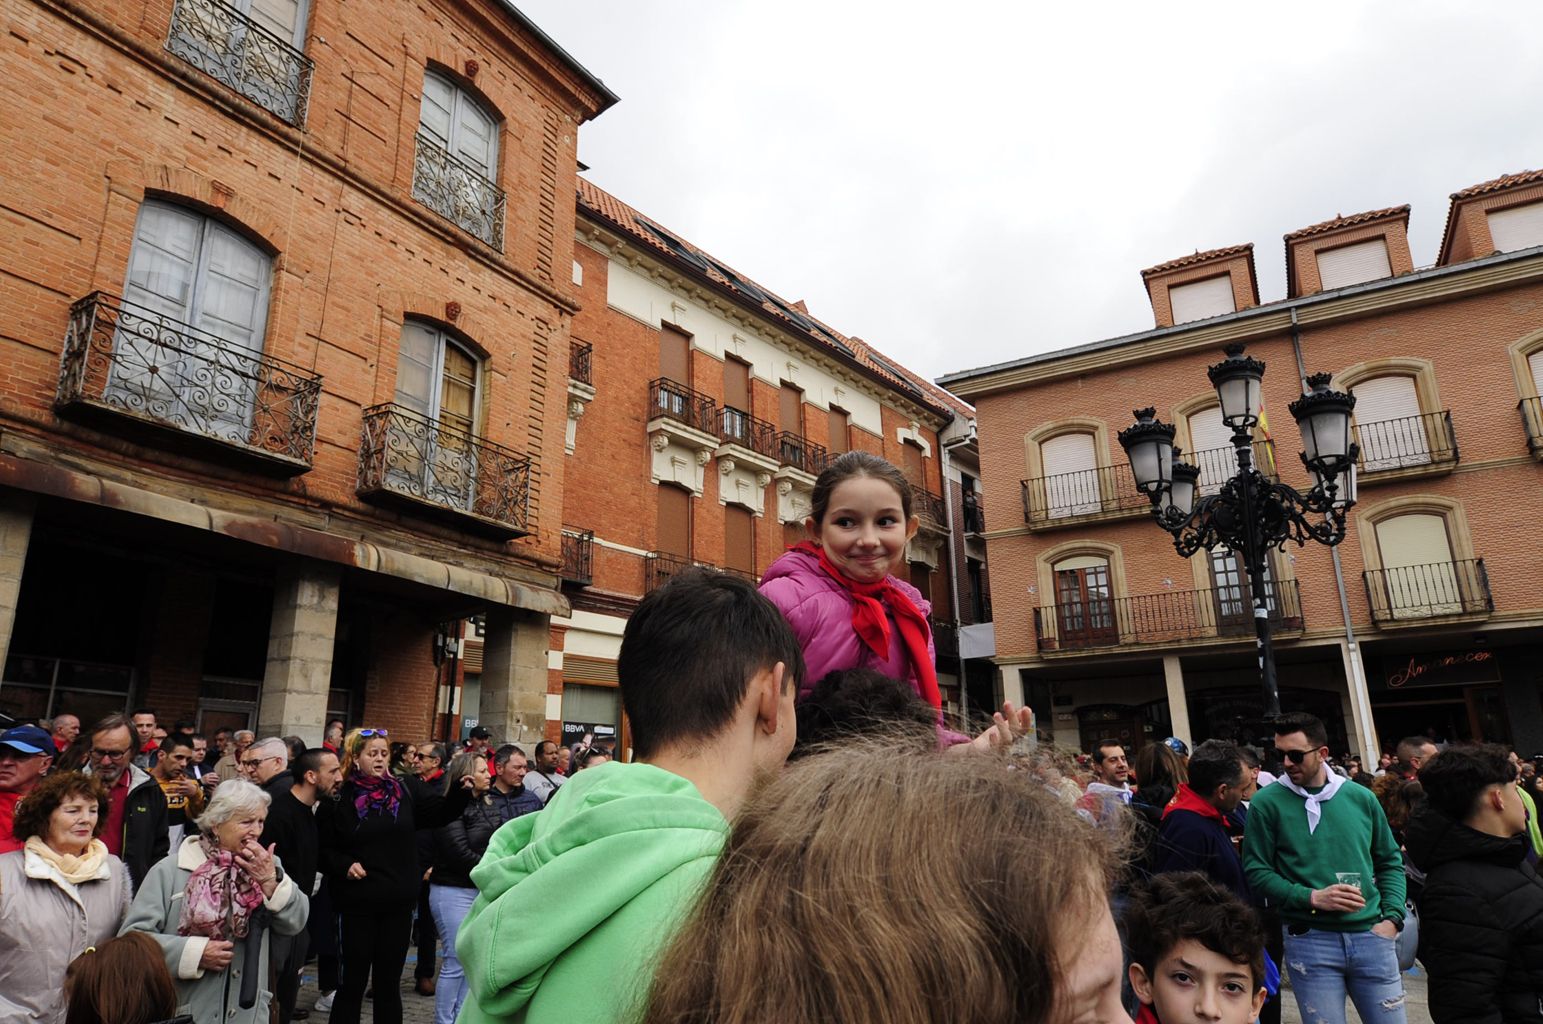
x=1195 y=985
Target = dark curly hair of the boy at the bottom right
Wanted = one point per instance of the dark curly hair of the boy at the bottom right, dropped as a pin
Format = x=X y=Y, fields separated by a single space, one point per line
x=1187 y=906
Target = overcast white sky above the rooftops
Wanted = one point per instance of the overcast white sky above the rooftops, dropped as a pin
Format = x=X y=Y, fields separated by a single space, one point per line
x=971 y=183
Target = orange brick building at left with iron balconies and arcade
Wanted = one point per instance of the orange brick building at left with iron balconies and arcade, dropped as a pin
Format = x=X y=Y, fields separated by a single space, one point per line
x=285 y=363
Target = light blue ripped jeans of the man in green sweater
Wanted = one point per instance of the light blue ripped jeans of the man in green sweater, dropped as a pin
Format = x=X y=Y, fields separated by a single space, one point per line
x=1328 y=966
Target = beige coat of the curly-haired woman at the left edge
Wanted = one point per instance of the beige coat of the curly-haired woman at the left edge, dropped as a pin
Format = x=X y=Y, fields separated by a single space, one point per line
x=46 y=923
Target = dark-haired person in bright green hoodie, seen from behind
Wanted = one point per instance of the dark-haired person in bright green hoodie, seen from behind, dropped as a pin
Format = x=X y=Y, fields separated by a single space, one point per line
x=578 y=901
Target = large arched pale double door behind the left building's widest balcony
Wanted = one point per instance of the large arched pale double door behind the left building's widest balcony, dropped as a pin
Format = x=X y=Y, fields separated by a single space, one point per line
x=191 y=337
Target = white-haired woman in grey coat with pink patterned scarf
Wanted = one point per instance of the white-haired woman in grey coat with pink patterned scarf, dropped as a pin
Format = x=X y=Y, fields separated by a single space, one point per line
x=214 y=901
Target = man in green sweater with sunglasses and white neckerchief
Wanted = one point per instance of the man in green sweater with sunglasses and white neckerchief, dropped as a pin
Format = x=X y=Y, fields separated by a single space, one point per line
x=1318 y=852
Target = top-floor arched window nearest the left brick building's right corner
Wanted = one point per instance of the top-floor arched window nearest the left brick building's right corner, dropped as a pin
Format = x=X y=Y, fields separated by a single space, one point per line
x=456 y=167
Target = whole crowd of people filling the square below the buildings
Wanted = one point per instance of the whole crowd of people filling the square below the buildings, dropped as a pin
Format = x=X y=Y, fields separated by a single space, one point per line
x=795 y=834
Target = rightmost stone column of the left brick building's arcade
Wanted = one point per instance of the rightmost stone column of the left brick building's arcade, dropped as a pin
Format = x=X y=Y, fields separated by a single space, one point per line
x=513 y=701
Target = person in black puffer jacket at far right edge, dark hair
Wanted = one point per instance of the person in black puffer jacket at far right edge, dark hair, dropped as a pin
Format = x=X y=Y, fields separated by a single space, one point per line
x=1482 y=908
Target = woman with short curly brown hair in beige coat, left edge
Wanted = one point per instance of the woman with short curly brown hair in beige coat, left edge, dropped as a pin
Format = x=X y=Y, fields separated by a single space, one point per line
x=59 y=895
